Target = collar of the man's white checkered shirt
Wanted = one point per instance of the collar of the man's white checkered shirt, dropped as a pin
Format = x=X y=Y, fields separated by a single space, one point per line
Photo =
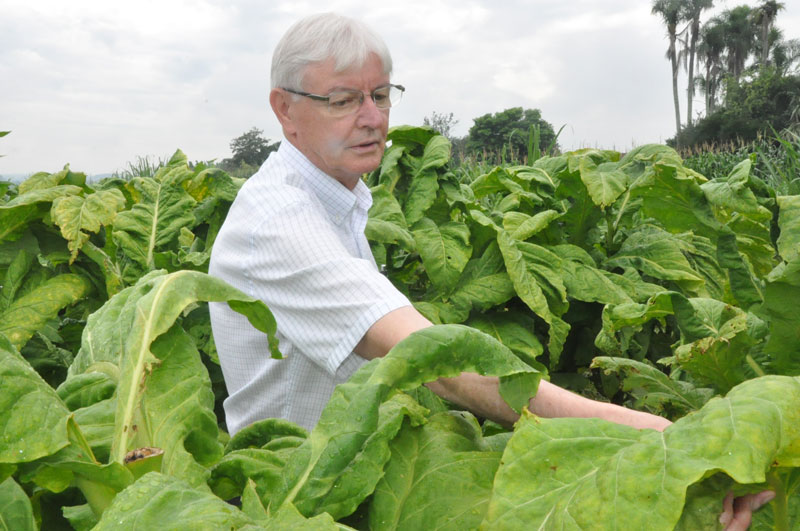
x=338 y=200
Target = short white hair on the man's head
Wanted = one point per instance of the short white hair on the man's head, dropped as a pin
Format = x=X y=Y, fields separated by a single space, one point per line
x=318 y=38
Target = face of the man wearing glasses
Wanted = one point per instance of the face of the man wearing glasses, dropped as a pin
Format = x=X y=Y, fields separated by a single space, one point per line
x=344 y=147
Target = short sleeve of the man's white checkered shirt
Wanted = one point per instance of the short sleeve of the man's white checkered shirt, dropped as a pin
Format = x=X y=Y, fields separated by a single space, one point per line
x=324 y=299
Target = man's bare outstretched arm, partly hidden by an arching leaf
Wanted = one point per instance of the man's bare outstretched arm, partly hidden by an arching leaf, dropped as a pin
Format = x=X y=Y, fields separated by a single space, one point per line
x=481 y=395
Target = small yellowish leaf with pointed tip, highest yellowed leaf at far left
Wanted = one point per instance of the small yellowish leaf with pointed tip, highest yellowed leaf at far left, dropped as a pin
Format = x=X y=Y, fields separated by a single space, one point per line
x=76 y=215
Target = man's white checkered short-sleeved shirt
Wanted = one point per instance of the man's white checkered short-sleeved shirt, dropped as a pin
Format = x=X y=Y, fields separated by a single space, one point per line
x=294 y=238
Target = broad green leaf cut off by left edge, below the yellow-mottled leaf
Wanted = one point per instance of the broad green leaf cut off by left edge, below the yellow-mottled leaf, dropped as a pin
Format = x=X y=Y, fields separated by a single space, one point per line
x=33 y=419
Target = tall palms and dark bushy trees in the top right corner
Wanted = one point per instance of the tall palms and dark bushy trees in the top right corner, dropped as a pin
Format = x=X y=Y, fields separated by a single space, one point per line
x=743 y=65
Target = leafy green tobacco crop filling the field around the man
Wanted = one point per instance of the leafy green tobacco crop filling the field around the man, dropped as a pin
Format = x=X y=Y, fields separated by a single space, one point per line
x=629 y=278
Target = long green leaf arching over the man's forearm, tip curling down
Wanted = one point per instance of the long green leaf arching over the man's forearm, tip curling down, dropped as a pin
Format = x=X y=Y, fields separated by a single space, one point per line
x=342 y=460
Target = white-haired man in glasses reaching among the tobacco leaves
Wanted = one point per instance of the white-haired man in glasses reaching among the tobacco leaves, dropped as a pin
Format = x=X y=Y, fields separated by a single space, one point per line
x=294 y=238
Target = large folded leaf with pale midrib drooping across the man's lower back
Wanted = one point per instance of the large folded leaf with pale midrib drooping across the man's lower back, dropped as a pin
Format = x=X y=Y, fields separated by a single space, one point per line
x=163 y=396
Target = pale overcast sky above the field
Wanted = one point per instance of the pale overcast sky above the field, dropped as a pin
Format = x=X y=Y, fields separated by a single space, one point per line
x=96 y=84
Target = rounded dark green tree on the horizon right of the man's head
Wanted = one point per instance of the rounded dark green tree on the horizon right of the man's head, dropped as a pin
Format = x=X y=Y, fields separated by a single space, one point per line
x=509 y=132
